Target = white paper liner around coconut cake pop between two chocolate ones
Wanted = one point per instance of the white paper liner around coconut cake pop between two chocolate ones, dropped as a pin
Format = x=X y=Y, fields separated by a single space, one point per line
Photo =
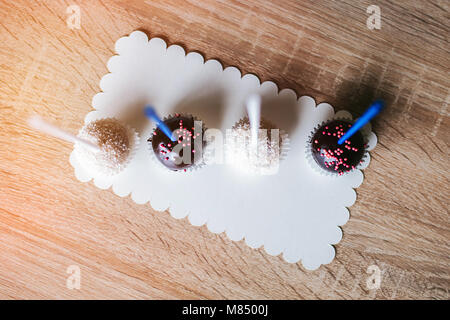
x=284 y=148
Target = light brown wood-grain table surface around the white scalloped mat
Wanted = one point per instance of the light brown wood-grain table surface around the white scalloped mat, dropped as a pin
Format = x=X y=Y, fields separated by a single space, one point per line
x=400 y=222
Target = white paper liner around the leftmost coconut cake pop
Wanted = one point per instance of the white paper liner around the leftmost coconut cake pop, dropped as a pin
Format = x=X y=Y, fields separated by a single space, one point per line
x=87 y=158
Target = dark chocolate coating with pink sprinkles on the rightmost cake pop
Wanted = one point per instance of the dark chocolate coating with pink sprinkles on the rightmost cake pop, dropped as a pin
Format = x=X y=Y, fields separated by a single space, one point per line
x=333 y=157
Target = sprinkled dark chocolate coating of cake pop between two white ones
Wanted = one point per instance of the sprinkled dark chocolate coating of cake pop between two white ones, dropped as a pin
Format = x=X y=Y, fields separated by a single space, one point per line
x=171 y=153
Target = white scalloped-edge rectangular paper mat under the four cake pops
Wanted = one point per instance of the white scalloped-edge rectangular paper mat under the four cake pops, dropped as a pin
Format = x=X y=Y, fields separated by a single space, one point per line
x=296 y=213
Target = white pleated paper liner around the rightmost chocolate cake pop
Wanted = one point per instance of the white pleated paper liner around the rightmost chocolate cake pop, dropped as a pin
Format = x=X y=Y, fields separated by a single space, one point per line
x=315 y=166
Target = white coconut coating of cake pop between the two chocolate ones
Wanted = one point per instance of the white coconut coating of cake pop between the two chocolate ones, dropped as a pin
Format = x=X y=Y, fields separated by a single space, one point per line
x=261 y=160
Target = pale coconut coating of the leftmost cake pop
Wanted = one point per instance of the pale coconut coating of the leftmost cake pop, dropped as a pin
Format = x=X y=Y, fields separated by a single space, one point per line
x=113 y=139
